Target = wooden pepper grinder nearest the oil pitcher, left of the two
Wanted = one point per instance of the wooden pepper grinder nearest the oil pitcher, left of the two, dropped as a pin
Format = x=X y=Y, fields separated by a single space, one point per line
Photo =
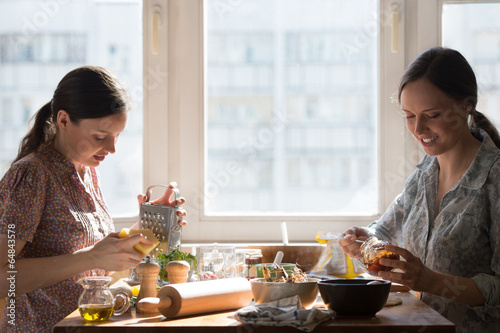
x=147 y=273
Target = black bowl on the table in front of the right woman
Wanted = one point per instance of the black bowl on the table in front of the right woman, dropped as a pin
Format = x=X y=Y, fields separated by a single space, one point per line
x=353 y=297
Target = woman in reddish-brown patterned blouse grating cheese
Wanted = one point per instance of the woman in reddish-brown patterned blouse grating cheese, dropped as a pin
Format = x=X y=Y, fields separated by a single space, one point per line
x=52 y=212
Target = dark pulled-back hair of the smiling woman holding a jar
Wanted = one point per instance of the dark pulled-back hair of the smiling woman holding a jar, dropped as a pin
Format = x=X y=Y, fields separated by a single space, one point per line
x=450 y=72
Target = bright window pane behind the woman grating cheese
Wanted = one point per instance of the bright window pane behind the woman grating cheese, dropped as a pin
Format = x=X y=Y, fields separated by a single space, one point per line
x=40 y=41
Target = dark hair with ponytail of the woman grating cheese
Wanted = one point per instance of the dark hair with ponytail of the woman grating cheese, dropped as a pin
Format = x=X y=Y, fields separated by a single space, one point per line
x=86 y=92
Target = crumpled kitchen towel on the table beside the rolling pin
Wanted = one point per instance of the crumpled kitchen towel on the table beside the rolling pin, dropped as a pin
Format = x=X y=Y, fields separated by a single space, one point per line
x=284 y=312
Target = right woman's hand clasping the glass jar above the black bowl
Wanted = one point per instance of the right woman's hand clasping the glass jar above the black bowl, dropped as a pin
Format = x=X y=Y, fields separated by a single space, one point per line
x=415 y=275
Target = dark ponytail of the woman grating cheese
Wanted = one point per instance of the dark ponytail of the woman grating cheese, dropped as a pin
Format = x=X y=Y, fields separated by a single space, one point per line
x=42 y=132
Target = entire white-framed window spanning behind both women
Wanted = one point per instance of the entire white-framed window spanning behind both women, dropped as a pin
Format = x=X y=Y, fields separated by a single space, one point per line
x=216 y=85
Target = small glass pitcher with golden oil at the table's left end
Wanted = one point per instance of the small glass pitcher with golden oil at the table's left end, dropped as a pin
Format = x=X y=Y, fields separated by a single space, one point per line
x=96 y=303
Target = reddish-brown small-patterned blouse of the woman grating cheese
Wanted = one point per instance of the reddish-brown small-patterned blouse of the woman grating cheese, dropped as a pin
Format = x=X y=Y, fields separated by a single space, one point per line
x=56 y=213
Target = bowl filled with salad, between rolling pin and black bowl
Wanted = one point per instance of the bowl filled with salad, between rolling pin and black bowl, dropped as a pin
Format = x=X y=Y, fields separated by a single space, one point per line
x=272 y=291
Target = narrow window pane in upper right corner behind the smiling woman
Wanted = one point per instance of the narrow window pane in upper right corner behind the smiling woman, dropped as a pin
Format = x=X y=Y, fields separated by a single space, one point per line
x=474 y=30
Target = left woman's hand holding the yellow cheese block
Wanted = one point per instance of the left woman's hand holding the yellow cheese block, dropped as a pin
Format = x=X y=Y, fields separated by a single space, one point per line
x=116 y=254
